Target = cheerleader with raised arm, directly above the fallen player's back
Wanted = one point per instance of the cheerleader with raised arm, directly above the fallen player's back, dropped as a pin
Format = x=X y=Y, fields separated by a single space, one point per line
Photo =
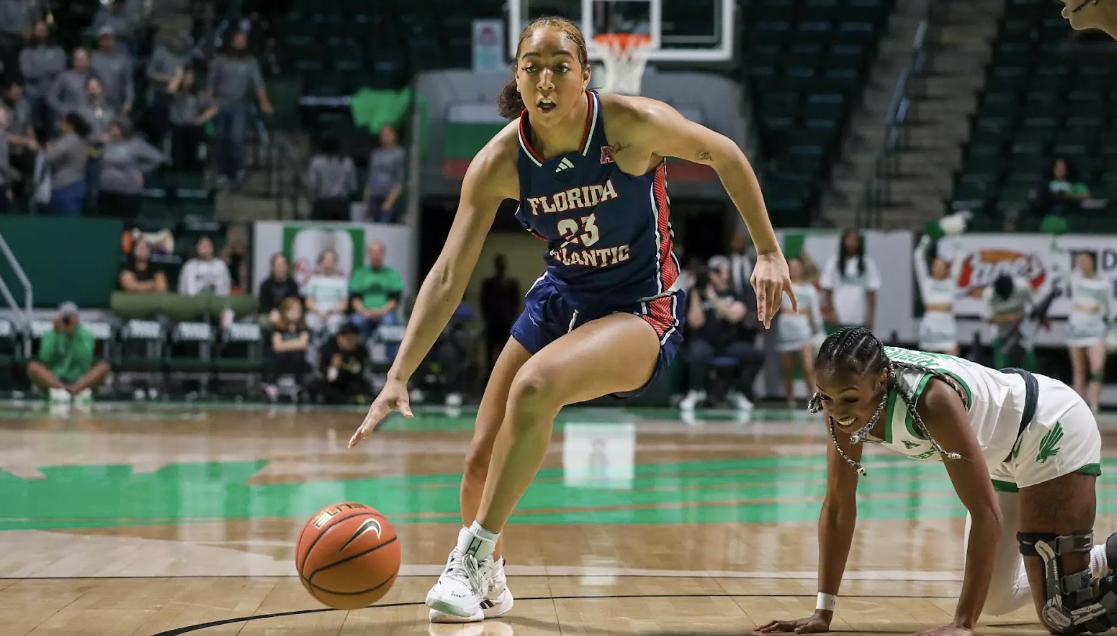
x=939 y=331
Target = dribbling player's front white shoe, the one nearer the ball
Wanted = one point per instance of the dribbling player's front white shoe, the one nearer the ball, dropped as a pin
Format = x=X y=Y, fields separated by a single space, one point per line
x=463 y=586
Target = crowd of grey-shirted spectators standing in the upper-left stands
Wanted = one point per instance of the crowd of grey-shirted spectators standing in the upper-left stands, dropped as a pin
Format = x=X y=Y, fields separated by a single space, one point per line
x=89 y=131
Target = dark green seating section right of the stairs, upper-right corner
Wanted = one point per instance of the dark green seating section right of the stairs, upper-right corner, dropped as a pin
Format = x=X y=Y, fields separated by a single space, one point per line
x=1045 y=98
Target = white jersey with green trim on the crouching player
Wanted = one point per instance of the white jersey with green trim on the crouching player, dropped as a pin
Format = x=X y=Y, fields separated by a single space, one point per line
x=995 y=402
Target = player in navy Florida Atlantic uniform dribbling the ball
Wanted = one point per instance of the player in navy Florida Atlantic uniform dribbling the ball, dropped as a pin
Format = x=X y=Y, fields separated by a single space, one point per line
x=607 y=316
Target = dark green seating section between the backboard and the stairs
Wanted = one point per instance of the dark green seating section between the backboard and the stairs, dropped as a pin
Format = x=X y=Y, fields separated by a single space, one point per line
x=807 y=64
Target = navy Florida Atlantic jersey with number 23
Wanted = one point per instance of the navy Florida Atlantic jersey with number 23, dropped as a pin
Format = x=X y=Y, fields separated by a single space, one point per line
x=609 y=234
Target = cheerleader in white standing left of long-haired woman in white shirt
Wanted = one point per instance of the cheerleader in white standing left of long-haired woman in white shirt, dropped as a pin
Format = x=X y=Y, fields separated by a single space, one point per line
x=797 y=333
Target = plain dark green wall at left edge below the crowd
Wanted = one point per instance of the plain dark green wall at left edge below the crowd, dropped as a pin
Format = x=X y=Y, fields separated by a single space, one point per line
x=66 y=259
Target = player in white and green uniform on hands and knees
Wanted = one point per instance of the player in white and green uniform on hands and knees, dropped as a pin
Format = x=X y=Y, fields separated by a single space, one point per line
x=1024 y=454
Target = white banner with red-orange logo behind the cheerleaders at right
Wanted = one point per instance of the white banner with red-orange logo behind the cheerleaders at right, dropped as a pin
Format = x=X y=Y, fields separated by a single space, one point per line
x=1033 y=258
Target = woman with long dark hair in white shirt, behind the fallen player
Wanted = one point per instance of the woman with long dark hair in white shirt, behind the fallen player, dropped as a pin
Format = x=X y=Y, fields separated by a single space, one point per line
x=849 y=284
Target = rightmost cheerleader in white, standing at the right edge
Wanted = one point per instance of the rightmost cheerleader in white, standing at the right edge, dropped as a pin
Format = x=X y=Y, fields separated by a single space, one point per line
x=1091 y=311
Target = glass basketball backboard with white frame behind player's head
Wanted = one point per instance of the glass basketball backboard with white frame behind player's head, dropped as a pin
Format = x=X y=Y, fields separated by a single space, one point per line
x=682 y=31
